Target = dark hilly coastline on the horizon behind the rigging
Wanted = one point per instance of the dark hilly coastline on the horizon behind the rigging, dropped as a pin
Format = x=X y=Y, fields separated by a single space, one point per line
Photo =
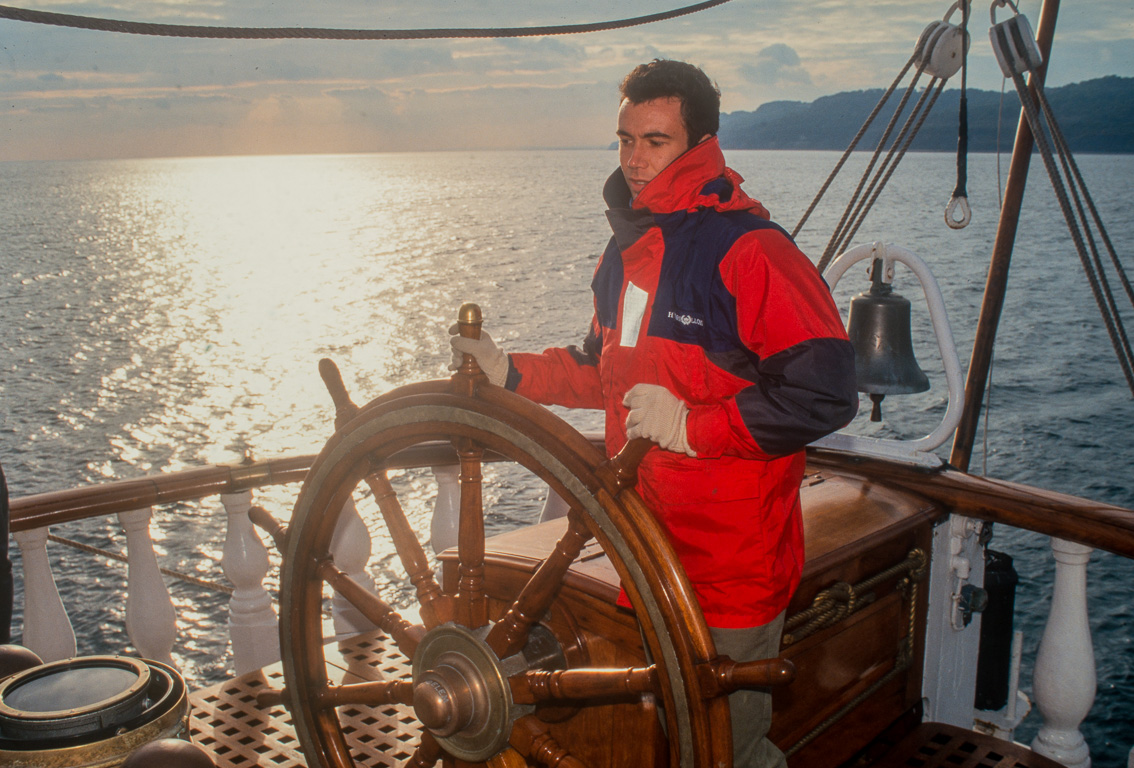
x=1096 y=116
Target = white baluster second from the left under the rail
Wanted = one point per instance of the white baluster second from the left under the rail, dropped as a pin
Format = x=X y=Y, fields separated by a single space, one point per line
x=150 y=619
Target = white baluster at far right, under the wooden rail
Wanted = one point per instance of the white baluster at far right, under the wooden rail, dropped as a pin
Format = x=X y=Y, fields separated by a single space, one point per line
x=1064 y=682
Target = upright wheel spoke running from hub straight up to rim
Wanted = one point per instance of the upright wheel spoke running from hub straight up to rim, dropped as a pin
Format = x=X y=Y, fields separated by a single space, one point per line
x=471 y=537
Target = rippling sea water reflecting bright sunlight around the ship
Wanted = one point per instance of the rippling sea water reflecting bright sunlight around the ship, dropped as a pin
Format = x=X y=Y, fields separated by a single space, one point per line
x=163 y=315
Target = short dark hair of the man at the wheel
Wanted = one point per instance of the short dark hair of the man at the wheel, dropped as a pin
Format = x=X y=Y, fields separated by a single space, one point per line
x=665 y=79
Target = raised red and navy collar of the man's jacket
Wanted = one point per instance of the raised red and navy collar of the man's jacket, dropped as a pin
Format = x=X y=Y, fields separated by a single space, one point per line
x=698 y=179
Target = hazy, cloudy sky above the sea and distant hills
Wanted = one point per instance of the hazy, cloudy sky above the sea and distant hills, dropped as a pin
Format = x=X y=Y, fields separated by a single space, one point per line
x=82 y=95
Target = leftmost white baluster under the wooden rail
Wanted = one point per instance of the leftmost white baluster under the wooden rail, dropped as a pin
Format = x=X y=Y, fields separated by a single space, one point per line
x=47 y=629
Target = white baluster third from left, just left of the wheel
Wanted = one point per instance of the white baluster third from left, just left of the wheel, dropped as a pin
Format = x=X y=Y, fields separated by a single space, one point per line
x=252 y=623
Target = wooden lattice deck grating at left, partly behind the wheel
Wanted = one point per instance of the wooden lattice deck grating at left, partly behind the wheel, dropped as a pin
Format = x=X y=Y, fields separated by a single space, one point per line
x=227 y=721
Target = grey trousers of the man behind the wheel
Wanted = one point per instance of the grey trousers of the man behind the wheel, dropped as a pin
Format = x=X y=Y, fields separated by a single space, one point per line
x=752 y=711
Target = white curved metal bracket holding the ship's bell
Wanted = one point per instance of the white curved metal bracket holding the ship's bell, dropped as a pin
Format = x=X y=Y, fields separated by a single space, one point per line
x=913 y=452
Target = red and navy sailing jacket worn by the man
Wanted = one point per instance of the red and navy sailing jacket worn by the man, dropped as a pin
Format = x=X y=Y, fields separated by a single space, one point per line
x=700 y=293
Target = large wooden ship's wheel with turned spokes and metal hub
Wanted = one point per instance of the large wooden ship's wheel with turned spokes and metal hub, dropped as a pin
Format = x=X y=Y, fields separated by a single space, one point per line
x=487 y=683
